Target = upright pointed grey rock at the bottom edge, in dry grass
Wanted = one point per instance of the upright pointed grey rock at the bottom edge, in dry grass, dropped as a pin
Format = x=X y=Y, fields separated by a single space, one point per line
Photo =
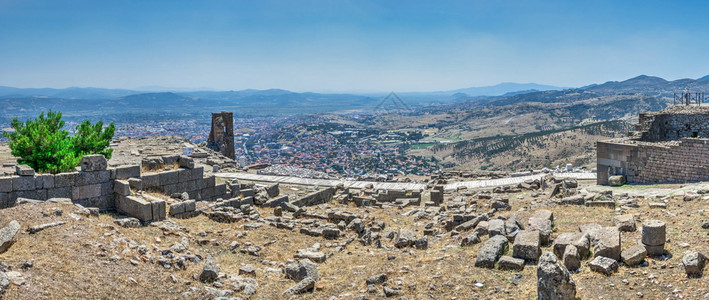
x=553 y=279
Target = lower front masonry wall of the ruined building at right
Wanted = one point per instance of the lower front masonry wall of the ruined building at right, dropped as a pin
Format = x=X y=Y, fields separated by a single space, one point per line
x=686 y=160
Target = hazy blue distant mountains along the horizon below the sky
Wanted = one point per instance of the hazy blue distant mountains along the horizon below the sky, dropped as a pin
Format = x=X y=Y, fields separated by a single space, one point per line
x=19 y=101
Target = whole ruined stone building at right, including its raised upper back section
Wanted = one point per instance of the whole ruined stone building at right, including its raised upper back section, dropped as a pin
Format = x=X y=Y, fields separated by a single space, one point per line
x=671 y=145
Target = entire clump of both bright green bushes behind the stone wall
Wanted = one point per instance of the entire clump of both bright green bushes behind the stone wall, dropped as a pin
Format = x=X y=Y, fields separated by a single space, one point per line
x=46 y=147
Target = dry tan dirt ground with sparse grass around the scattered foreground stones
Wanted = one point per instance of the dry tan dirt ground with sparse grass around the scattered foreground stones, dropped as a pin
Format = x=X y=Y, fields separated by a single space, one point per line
x=92 y=258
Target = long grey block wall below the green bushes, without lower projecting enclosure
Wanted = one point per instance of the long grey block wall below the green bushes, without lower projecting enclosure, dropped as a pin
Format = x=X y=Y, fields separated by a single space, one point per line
x=93 y=186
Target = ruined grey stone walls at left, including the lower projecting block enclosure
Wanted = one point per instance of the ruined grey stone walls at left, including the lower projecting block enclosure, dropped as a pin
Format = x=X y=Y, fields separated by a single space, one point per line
x=124 y=188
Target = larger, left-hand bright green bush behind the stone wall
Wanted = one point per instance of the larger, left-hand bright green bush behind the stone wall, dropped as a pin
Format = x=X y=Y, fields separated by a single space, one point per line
x=42 y=144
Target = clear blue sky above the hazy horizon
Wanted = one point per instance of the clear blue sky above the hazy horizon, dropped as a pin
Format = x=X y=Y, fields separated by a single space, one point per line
x=347 y=45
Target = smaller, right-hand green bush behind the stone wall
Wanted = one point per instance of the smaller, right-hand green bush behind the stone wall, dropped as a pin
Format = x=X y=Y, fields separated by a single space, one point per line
x=93 y=139
